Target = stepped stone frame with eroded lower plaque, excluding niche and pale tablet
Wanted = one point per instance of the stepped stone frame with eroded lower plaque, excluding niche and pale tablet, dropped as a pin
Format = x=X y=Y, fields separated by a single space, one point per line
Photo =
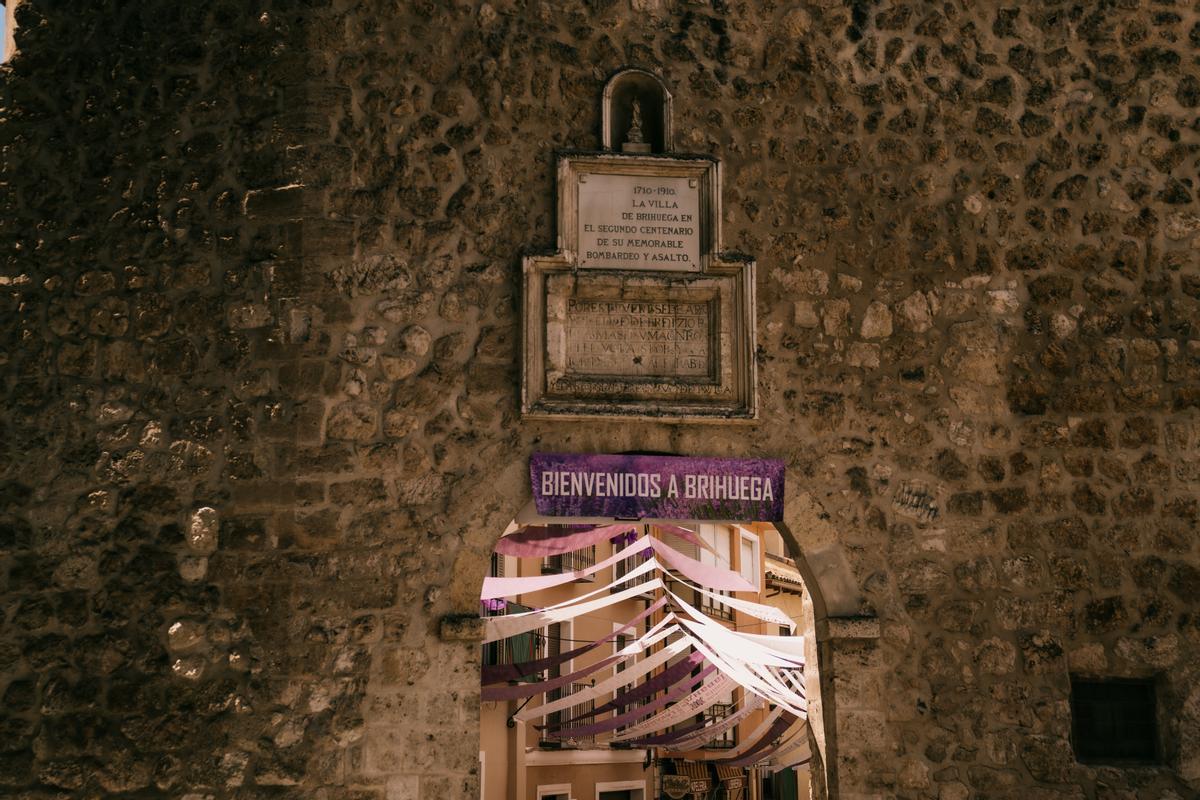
x=671 y=342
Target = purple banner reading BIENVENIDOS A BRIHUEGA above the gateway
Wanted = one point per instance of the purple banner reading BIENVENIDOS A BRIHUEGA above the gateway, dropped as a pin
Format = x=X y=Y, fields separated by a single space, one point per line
x=658 y=488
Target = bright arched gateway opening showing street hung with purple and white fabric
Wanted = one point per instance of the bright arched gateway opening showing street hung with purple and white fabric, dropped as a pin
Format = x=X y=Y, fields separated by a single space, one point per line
x=611 y=671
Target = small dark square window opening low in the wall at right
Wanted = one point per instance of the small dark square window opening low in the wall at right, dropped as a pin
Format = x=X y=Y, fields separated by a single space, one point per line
x=1114 y=721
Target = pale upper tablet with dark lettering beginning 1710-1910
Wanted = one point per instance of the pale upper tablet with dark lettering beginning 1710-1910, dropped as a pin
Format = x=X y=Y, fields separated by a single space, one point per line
x=639 y=222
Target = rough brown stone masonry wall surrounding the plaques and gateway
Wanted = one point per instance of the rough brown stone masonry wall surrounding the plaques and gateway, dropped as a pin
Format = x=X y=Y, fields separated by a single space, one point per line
x=260 y=296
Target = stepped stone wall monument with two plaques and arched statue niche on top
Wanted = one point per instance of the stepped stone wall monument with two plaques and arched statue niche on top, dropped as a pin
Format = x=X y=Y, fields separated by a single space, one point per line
x=639 y=314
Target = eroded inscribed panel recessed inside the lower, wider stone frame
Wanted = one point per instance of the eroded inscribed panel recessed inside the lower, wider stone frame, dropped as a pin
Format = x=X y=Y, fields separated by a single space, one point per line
x=635 y=338
